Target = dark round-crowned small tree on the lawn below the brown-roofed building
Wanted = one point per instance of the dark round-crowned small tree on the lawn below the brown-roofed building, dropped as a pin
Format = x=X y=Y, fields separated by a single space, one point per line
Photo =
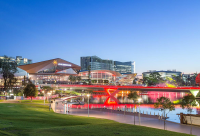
x=30 y=90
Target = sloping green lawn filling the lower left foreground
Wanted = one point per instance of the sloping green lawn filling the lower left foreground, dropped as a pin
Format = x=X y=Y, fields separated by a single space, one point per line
x=36 y=120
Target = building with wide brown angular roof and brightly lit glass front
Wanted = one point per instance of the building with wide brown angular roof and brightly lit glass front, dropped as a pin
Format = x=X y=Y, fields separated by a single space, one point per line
x=54 y=71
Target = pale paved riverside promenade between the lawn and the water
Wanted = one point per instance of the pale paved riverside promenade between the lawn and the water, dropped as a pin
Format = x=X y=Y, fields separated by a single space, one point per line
x=129 y=119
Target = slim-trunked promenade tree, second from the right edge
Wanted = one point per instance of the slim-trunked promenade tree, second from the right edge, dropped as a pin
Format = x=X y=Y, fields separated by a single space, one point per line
x=164 y=104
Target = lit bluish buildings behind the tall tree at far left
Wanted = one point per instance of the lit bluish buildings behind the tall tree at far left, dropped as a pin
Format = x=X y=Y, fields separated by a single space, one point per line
x=19 y=60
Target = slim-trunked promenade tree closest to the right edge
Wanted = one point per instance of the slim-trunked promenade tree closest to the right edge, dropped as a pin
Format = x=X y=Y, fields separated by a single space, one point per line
x=188 y=102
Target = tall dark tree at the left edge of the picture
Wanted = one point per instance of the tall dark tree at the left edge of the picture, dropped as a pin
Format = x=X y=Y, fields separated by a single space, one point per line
x=8 y=68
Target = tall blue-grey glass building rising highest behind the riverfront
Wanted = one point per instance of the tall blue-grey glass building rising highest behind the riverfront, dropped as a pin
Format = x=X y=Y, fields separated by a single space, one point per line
x=97 y=63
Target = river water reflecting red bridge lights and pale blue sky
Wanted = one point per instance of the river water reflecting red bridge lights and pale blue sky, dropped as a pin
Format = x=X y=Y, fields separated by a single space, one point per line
x=148 y=99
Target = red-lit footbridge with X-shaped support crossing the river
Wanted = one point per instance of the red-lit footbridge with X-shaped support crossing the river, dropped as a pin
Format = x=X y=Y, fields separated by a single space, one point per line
x=111 y=91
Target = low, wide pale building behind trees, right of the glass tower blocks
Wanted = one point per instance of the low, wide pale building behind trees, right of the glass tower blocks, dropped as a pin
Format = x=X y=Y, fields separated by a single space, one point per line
x=164 y=74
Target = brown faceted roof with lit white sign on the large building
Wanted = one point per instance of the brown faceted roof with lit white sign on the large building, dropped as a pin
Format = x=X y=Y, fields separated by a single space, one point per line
x=58 y=63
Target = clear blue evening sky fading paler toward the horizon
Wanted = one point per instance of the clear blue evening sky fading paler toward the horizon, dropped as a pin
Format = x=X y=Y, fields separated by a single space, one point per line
x=156 y=34
